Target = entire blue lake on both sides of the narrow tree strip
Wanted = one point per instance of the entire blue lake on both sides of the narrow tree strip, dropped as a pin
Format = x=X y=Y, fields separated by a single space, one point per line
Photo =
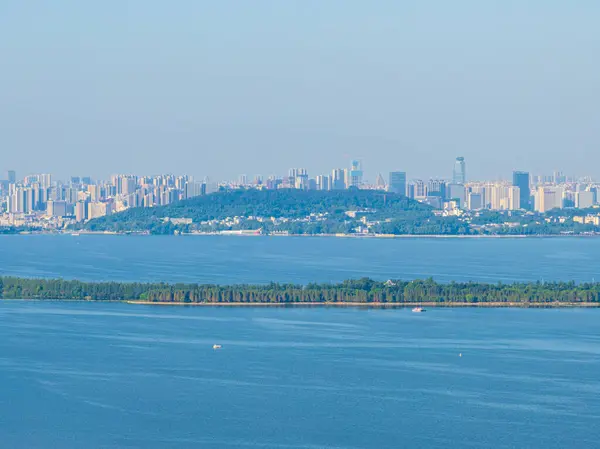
x=93 y=375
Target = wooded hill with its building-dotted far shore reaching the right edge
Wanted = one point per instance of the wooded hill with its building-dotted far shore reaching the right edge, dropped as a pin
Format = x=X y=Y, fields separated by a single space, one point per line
x=345 y=212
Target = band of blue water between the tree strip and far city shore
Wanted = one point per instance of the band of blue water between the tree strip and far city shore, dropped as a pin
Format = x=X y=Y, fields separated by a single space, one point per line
x=224 y=259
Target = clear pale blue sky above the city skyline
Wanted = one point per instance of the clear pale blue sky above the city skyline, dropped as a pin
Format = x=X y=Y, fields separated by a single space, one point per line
x=221 y=88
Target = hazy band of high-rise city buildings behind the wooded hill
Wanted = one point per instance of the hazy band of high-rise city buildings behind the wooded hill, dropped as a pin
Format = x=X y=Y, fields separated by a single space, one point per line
x=39 y=196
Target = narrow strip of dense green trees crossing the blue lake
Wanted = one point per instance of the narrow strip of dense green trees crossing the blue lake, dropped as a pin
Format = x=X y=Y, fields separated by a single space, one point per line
x=352 y=291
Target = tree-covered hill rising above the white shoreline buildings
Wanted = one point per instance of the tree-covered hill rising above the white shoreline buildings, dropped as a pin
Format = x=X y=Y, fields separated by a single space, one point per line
x=279 y=204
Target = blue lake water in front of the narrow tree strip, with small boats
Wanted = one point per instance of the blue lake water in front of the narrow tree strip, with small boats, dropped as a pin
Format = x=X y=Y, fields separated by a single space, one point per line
x=78 y=375
